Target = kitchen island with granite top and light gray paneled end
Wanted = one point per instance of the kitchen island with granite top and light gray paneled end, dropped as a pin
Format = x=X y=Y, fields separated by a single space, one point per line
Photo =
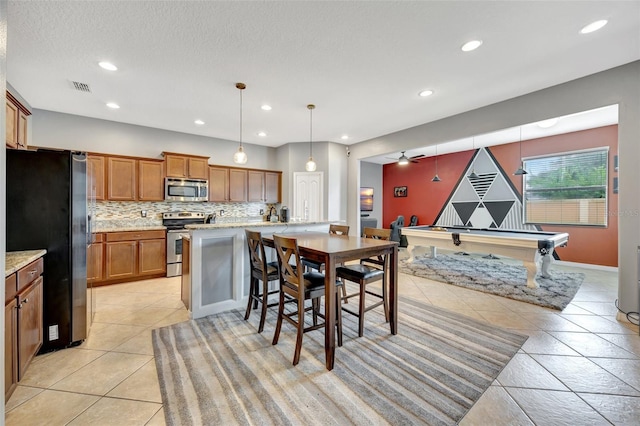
x=219 y=263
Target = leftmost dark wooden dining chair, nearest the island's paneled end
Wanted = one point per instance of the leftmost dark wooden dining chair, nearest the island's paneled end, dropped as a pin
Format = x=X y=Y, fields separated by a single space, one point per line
x=261 y=272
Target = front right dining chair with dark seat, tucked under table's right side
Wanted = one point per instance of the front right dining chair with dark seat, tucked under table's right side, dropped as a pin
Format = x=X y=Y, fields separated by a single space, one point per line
x=369 y=270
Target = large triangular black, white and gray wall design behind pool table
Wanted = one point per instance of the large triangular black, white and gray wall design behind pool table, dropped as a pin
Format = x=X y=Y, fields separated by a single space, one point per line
x=486 y=201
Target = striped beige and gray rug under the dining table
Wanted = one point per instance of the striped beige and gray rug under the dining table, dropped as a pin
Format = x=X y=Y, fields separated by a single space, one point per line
x=219 y=371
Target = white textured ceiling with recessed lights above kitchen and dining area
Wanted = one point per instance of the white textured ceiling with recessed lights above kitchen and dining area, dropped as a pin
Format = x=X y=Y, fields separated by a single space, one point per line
x=361 y=63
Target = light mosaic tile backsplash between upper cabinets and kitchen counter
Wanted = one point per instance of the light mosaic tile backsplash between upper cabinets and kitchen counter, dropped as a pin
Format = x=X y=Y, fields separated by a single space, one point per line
x=131 y=210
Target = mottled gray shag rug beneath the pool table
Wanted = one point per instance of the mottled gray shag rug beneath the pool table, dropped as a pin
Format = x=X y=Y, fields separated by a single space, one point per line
x=497 y=277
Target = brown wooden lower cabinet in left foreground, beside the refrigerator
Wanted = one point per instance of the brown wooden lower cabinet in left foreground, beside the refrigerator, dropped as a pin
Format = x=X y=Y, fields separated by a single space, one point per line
x=23 y=322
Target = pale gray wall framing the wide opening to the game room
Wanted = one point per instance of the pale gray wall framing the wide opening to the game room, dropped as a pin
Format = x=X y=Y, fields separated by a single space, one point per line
x=620 y=85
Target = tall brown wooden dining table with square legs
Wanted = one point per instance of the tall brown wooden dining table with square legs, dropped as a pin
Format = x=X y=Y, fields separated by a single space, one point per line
x=333 y=250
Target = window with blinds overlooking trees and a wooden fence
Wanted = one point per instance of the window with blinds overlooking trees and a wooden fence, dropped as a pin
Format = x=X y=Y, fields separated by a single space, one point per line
x=567 y=189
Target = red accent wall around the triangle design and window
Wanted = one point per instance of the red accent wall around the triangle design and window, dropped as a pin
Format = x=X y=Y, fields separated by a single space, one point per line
x=426 y=199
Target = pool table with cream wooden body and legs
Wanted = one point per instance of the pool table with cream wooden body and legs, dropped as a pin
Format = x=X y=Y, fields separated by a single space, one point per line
x=528 y=246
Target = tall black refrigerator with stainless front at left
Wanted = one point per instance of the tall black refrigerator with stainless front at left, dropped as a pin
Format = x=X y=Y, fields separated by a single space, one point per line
x=47 y=209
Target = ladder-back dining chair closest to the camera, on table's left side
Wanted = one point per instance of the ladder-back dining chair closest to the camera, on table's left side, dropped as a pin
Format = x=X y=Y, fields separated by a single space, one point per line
x=301 y=286
